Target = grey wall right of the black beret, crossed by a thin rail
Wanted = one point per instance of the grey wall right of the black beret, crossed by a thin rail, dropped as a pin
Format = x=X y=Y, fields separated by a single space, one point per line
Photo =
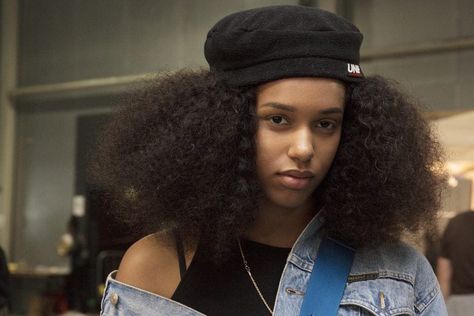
x=442 y=80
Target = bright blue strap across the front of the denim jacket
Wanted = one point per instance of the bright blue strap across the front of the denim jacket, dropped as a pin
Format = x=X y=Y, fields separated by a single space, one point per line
x=328 y=279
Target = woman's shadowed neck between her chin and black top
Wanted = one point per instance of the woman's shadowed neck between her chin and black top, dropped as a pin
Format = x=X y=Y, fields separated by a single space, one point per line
x=278 y=226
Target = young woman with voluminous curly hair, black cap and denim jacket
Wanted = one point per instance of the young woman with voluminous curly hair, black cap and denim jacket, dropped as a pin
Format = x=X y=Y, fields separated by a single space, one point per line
x=242 y=172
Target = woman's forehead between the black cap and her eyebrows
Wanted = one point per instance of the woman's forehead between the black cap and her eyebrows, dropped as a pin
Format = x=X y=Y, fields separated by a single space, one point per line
x=306 y=91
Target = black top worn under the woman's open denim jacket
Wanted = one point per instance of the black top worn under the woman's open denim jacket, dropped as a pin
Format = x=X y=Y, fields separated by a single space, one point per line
x=228 y=289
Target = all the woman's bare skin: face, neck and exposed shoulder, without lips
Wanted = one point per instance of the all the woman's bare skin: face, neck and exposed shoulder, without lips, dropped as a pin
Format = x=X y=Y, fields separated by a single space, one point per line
x=299 y=128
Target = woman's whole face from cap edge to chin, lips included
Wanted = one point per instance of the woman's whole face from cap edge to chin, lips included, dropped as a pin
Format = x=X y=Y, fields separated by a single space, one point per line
x=299 y=128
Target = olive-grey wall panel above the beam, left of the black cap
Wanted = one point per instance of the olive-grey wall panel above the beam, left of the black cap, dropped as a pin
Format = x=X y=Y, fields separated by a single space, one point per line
x=75 y=39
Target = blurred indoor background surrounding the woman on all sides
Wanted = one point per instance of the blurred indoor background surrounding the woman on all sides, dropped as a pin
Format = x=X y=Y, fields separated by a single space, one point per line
x=66 y=63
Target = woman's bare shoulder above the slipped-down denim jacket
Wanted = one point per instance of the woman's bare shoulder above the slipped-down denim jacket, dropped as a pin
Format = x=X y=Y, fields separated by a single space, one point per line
x=151 y=264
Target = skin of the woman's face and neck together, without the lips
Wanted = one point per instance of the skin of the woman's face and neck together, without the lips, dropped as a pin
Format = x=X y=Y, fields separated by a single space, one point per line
x=299 y=128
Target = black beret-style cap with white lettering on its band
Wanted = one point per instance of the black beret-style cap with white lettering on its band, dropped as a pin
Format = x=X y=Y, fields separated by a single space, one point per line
x=255 y=46
